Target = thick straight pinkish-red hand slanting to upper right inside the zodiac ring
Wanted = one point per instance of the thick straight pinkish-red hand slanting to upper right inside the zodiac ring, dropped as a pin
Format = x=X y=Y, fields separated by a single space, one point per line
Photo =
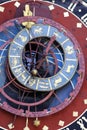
x=46 y=51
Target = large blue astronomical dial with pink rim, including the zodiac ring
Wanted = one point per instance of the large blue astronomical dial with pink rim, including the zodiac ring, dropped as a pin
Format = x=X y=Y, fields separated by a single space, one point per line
x=28 y=60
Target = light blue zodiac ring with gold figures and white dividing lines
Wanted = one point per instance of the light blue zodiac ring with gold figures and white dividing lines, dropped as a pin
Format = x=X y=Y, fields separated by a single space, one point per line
x=59 y=79
